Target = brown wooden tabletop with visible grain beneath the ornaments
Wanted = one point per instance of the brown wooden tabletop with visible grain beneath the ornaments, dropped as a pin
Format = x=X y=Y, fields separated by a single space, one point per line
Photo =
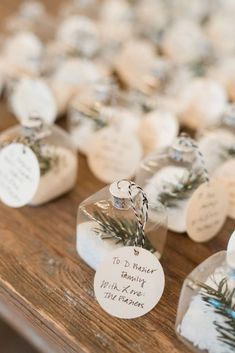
x=46 y=290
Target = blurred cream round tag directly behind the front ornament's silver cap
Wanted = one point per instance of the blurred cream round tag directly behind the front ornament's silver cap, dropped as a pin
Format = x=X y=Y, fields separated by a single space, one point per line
x=114 y=155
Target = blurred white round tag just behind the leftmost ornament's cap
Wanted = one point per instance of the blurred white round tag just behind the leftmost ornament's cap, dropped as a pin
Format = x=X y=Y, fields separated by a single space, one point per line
x=33 y=97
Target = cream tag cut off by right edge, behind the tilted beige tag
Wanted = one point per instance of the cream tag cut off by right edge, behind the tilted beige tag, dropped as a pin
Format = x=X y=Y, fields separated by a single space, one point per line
x=226 y=174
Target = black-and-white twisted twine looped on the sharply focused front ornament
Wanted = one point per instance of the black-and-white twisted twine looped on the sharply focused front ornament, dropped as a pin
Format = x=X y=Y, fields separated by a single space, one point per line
x=140 y=210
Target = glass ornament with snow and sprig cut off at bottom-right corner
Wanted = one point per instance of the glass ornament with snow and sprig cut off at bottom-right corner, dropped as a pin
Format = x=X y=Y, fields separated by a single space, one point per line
x=206 y=310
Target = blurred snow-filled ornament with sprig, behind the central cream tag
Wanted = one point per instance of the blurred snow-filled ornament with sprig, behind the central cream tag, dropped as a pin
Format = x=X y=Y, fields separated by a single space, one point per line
x=96 y=107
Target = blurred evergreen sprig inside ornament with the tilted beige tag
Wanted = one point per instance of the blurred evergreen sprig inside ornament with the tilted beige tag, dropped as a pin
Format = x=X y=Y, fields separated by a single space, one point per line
x=182 y=189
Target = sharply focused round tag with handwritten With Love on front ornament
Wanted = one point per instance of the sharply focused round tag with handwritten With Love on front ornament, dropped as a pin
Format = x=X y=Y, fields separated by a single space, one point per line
x=129 y=282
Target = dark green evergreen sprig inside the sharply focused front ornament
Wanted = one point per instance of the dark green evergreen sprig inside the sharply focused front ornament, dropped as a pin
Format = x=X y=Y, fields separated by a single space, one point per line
x=122 y=230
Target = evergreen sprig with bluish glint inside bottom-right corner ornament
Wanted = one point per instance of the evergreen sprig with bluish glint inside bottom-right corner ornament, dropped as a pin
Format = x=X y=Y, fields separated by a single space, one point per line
x=222 y=299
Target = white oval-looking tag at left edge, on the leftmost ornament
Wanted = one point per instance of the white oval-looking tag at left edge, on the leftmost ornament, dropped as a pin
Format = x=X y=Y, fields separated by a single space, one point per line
x=19 y=175
